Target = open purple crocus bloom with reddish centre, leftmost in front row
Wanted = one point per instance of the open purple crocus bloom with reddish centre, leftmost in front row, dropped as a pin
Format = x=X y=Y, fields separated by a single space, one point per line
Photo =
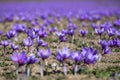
x=19 y=59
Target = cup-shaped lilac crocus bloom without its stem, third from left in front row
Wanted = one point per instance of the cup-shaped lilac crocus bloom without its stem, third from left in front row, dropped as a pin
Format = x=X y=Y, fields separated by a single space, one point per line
x=44 y=54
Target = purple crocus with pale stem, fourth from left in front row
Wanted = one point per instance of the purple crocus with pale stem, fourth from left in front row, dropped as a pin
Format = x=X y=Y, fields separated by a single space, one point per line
x=62 y=55
